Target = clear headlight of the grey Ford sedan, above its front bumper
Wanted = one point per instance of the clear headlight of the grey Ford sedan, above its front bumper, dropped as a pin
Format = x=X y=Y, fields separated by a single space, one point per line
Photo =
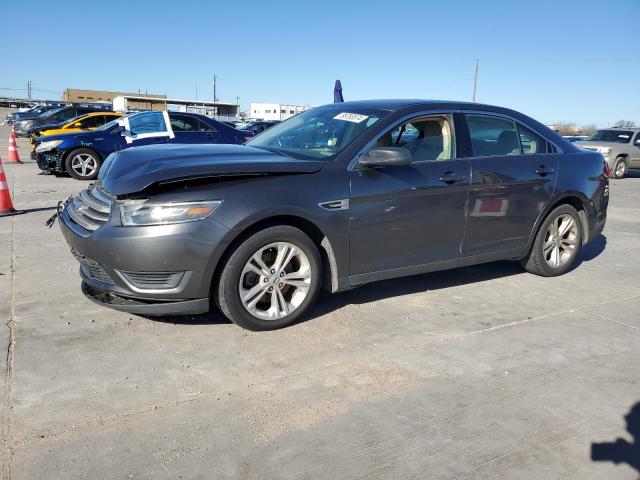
x=142 y=213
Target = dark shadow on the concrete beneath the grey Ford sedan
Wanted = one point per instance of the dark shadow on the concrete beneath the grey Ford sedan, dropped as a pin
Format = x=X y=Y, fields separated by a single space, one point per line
x=372 y=292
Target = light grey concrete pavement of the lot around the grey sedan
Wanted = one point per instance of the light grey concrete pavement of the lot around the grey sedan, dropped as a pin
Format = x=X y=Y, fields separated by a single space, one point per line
x=481 y=373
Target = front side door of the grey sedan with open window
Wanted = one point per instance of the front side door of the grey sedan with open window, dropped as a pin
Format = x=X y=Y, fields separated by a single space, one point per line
x=411 y=215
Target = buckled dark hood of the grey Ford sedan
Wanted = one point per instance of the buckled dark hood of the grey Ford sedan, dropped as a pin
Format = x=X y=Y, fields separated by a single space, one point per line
x=135 y=169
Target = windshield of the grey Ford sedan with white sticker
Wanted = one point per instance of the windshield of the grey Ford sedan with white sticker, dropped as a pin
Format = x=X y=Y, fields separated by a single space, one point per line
x=319 y=133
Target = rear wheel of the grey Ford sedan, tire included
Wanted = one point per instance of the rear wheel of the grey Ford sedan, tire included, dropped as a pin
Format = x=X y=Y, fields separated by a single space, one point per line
x=545 y=250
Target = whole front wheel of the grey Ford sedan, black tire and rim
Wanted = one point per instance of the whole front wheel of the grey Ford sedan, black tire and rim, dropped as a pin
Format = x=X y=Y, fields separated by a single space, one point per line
x=267 y=245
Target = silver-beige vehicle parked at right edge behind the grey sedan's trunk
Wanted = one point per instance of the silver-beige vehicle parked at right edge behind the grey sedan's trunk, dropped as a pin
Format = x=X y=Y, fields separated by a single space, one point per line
x=620 y=147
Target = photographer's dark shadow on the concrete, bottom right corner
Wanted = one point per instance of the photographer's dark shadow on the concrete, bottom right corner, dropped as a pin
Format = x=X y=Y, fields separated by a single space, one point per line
x=620 y=450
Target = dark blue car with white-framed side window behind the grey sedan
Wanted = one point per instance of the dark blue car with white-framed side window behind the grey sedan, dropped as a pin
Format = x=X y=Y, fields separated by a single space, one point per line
x=81 y=154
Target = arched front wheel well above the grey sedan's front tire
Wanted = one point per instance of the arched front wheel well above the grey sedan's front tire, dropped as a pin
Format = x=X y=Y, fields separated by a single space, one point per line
x=329 y=282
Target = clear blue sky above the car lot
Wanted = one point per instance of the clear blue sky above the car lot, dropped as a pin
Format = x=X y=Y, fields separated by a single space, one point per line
x=555 y=60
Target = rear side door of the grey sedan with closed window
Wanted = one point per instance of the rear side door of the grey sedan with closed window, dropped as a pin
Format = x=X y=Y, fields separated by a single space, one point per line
x=513 y=175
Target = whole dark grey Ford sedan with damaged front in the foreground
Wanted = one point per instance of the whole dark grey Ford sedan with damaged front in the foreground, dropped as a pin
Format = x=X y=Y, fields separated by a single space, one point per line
x=333 y=197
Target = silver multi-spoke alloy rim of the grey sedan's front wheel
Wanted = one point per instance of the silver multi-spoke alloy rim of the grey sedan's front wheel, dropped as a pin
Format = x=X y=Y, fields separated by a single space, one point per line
x=275 y=281
